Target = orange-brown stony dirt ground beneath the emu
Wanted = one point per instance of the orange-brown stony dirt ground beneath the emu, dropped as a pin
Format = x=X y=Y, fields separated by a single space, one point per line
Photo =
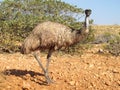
x=91 y=71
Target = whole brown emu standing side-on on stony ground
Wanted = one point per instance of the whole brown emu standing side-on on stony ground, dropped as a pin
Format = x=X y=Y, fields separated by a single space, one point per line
x=53 y=36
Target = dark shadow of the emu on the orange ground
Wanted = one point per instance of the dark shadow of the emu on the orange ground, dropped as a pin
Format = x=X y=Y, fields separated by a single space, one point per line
x=23 y=73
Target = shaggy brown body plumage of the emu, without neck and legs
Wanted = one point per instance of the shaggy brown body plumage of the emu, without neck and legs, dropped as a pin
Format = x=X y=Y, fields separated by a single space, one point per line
x=50 y=34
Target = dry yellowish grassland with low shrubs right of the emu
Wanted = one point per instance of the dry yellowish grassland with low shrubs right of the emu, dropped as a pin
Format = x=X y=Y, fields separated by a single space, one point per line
x=109 y=35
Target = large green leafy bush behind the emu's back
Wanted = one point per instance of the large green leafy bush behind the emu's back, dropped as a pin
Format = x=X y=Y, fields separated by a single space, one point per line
x=17 y=19
